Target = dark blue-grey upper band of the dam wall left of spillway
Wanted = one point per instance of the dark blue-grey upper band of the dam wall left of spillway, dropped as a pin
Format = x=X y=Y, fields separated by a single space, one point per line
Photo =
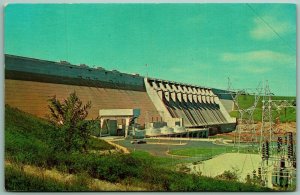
x=22 y=68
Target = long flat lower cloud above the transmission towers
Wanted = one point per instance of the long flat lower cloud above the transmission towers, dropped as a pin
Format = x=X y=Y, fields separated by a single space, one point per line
x=261 y=57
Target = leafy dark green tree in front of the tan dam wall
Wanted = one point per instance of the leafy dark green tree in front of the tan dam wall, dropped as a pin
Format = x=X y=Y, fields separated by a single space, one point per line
x=72 y=130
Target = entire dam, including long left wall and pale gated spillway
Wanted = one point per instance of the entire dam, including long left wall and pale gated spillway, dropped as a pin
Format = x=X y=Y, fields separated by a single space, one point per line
x=29 y=83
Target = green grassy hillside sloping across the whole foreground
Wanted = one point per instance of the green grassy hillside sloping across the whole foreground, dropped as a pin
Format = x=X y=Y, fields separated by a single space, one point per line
x=28 y=143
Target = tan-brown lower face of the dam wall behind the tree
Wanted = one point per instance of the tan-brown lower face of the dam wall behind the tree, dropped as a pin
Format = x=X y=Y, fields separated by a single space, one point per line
x=32 y=96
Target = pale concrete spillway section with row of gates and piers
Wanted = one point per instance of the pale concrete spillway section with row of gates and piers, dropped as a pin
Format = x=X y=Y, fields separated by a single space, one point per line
x=188 y=105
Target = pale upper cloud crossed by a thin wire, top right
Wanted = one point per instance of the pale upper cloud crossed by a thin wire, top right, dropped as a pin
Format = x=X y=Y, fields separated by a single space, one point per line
x=262 y=31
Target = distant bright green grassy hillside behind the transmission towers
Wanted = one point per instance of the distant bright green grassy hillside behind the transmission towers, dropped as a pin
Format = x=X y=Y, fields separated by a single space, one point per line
x=285 y=115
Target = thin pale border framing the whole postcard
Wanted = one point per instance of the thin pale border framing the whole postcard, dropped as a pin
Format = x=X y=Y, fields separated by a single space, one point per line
x=3 y=3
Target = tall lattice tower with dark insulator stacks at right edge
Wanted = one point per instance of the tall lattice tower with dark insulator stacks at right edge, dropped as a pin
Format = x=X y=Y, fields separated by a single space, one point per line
x=278 y=160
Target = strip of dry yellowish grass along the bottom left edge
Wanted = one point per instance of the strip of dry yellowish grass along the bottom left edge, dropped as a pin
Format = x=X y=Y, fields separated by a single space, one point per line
x=53 y=180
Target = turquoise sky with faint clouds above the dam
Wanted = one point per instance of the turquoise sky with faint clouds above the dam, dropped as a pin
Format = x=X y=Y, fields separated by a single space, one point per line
x=201 y=44
